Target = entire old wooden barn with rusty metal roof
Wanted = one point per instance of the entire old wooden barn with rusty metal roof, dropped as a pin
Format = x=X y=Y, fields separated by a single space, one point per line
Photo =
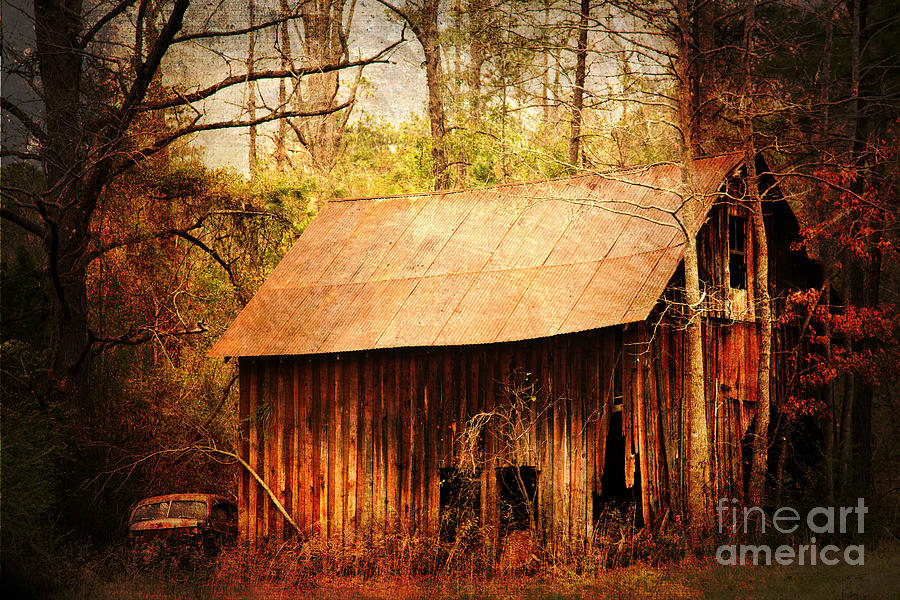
x=541 y=319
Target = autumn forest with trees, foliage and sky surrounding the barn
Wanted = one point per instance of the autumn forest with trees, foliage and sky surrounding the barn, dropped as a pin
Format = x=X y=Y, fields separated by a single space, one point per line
x=159 y=157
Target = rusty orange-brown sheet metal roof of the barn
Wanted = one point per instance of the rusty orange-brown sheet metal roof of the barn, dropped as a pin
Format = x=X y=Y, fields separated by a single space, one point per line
x=502 y=263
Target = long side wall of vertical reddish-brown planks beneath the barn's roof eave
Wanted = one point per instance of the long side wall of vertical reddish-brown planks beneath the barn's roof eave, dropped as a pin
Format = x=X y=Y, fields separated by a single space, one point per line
x=352 y=444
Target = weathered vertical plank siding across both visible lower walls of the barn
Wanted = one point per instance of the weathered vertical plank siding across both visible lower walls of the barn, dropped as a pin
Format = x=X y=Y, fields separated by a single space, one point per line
x=352 y=444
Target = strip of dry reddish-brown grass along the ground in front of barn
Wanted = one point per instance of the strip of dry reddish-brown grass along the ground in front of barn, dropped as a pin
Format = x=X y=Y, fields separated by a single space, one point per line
x=321 y=573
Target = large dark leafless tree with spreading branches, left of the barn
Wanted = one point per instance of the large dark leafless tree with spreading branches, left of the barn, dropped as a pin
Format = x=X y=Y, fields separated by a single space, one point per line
x=96 y=70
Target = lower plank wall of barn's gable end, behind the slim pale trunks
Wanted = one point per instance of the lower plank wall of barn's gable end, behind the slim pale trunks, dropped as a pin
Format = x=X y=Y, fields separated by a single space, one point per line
x=654 y=417
